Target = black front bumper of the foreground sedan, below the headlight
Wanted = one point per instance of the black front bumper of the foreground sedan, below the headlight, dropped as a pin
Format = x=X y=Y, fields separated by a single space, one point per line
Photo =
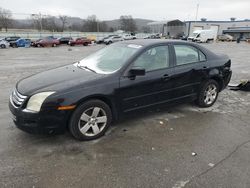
x=49 y=121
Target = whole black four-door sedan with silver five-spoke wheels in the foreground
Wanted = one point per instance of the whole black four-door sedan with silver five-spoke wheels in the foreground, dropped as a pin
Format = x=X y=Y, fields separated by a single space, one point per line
x=87 y=96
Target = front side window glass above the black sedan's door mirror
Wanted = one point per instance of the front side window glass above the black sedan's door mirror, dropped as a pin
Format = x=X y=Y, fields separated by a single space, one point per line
x=154 y=59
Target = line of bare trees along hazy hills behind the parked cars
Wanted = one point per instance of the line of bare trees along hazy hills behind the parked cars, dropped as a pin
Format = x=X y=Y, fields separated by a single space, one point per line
x=64 y=23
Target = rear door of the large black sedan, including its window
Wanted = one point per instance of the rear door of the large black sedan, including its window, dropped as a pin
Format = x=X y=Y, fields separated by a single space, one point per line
x=190 y=70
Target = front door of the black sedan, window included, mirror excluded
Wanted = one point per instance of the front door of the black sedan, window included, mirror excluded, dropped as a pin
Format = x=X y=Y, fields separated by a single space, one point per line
x=154 y=87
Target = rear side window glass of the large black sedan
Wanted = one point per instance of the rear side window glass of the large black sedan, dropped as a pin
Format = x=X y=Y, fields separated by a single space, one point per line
x=187 y=54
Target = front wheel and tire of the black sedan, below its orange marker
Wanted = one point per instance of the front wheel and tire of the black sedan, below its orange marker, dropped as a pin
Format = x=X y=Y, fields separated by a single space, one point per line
x=84 y=124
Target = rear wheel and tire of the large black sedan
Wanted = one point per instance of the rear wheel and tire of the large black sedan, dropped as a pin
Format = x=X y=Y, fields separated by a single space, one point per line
x=208 y=93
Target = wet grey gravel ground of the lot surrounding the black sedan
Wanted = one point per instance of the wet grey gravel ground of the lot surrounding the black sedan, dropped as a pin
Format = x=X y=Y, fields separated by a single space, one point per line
x=152 y=150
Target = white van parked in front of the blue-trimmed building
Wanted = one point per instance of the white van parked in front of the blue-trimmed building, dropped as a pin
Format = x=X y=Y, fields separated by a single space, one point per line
x=202 y=36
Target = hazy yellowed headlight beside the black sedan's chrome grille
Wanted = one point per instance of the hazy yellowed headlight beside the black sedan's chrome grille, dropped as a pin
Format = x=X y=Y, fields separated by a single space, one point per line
x=35 y=102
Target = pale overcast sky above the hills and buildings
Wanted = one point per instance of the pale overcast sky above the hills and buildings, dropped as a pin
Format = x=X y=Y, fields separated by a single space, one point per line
x=112 y=9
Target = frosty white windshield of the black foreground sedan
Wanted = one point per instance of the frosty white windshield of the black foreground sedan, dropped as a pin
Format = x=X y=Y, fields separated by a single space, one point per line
x=110 y=59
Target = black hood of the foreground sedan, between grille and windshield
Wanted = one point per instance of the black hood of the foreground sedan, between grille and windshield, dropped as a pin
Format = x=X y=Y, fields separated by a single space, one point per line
x=59 y=79
